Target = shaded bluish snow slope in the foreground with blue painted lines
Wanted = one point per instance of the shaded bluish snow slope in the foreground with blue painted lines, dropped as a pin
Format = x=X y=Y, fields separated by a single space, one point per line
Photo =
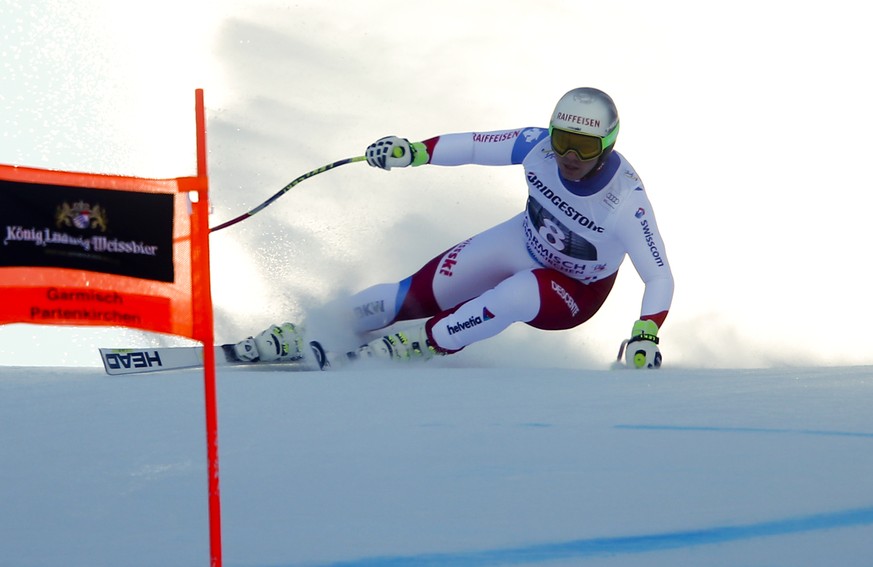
x=443 y=464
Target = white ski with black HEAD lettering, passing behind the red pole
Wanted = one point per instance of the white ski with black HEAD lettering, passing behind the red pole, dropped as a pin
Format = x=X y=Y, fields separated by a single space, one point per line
x=118 y=361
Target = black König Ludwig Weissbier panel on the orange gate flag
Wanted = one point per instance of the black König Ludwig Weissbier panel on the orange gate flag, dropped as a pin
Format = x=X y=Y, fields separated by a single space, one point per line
x=125 y=233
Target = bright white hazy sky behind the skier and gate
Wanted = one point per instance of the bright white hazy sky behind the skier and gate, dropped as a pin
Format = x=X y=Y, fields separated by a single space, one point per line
x=748 y=122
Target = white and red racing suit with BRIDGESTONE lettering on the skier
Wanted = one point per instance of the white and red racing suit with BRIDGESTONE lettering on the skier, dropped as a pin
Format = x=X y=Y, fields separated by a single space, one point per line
x=551 y=266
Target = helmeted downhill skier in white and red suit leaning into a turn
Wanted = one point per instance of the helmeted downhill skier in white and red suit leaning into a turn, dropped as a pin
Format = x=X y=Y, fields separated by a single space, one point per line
x=551 y=266
